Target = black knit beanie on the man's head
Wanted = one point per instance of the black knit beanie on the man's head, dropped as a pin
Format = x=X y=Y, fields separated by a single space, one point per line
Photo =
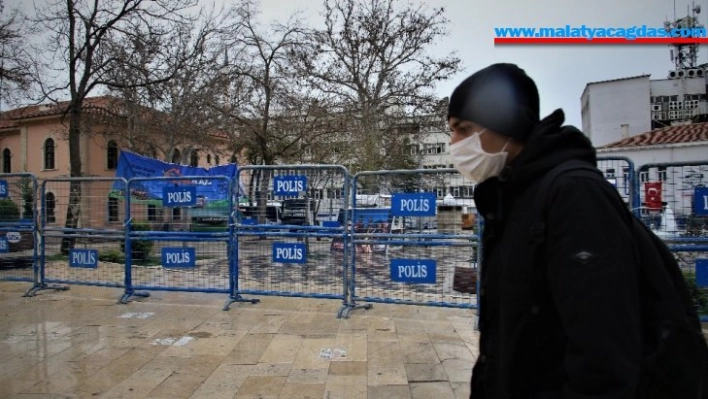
x=500 y=97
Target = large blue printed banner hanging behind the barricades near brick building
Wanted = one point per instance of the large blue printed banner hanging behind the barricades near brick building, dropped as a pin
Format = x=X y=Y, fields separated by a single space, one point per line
x=131 y=165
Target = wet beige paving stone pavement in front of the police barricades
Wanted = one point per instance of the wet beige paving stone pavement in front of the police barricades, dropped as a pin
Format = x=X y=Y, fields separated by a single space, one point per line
x=82 y=343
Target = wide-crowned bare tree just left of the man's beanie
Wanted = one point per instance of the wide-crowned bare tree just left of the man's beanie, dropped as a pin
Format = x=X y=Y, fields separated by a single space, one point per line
x=373 y=54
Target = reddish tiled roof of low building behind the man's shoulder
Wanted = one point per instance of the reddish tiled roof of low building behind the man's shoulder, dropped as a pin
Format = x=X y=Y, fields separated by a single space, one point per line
x=681 y=134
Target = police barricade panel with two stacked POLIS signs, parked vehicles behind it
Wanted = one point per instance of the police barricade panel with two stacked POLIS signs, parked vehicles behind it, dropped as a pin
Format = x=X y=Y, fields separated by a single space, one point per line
x=290 y=232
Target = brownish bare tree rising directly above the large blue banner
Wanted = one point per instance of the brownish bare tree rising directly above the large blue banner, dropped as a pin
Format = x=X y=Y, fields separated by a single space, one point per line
x=174 y=114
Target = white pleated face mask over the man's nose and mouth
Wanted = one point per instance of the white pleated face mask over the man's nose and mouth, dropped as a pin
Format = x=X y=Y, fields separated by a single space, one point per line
x=473 y=162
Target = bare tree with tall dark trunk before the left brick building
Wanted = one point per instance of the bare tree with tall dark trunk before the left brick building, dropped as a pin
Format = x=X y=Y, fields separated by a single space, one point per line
x=77 y=58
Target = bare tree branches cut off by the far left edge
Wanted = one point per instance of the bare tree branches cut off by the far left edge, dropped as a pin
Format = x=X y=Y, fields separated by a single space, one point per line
x=14 y=59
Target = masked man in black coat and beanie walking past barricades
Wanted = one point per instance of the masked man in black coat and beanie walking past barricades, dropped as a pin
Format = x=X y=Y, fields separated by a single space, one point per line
x=571 y=322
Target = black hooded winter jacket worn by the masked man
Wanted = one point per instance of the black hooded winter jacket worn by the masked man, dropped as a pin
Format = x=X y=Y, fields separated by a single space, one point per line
x=582 y=335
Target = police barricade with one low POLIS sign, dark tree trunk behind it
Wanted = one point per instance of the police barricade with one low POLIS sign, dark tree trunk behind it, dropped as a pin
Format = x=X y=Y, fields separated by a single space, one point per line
x=82 y=230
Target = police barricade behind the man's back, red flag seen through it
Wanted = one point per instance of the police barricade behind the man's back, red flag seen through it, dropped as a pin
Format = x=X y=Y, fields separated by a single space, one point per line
x=673 y=202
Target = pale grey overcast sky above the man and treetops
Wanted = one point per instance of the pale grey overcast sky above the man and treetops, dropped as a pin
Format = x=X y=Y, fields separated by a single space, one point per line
x=560 y=71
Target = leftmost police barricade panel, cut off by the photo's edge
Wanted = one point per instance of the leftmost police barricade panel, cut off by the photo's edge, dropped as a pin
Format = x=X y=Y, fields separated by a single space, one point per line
x=18 y=227
